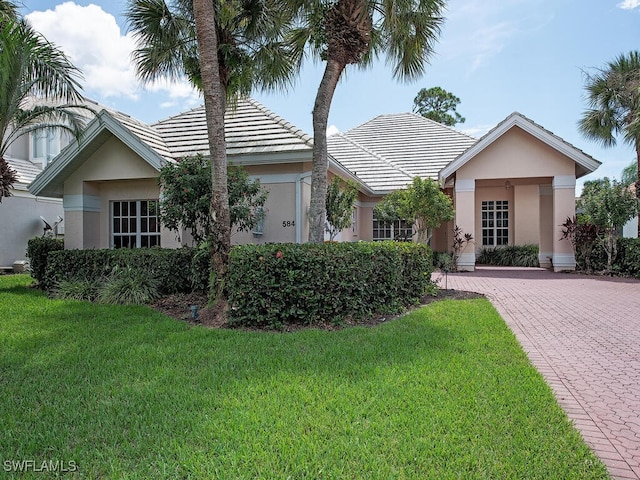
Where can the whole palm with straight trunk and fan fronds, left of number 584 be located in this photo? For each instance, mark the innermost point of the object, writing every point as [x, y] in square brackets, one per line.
[225, 49]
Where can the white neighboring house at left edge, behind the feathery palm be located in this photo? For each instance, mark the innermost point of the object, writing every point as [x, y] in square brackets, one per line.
[20, 213]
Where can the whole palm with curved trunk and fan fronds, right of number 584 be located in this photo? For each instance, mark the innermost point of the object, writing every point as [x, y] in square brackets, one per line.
[345, 32]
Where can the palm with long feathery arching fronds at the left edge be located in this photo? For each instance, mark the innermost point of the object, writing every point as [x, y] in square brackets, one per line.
[39, 88]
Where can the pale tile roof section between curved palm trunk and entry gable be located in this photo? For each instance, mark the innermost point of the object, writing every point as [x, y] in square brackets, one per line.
[398, 147]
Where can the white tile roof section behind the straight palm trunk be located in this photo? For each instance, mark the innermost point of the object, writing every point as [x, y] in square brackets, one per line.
[249, 128]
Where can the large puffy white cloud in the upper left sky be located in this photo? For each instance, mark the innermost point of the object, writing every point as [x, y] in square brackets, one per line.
[94, 43]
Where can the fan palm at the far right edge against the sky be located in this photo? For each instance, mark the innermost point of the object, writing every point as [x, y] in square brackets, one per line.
[613, 95]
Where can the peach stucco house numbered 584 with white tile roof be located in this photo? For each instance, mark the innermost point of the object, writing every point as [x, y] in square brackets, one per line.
[515, 185]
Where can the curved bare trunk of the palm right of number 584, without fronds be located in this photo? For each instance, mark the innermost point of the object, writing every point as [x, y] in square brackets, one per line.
[318, 208]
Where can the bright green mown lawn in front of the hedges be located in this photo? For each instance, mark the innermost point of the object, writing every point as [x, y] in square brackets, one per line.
[124, 392]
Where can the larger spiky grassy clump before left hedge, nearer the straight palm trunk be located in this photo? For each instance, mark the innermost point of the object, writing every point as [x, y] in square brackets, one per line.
[129, 286]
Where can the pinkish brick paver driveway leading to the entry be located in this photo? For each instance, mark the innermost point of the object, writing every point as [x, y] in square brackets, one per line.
[583, 334]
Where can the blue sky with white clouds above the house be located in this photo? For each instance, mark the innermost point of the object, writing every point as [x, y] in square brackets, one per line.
[497, 56]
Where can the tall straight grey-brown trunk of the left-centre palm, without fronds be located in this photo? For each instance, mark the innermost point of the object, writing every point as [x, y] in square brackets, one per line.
[214, 103]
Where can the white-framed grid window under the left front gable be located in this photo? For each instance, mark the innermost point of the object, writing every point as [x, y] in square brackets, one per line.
[134, 224]
